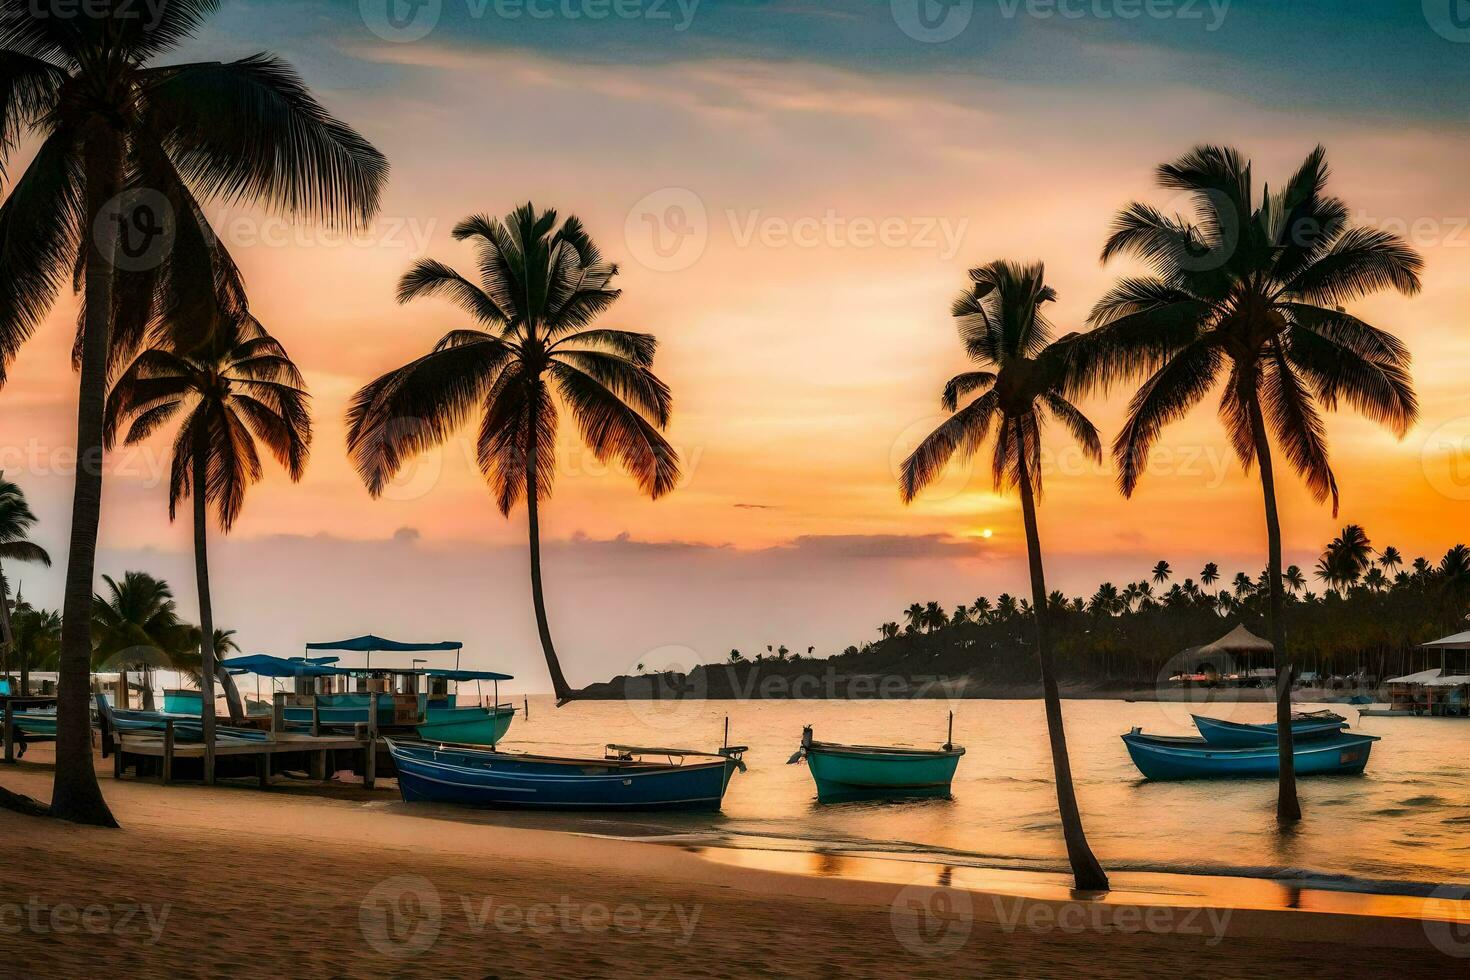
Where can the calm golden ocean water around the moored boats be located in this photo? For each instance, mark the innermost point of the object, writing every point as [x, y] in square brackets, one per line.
[1406, 821]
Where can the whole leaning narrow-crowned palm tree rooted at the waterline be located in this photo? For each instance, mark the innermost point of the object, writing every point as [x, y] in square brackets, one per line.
[1022, 378]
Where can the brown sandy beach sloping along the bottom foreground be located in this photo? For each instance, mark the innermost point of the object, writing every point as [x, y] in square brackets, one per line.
[342, 882]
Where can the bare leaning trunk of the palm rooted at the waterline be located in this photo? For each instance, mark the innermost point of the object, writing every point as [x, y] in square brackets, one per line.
[1087, 872]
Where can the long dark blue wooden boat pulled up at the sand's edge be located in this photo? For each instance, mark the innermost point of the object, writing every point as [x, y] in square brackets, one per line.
[624, 781]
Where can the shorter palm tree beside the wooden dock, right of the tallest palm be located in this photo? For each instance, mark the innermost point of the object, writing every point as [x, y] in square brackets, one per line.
[233, 392]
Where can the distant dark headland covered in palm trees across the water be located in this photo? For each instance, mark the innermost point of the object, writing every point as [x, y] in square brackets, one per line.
[1371, 616]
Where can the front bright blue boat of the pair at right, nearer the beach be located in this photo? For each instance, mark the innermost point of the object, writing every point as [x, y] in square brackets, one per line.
[1177, 757]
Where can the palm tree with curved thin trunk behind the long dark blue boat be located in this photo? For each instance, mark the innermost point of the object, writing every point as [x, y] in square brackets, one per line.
[540, 290]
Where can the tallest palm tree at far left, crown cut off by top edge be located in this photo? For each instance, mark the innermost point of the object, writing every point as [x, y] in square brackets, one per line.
[123, 142]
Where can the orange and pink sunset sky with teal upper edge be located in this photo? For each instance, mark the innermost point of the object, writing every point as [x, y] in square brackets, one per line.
[806, 350]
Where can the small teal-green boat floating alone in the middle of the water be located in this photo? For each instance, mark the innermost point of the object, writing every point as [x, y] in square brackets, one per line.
[877, 772]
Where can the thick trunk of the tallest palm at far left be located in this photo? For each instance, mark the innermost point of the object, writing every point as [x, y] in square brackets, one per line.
[76, 794]
